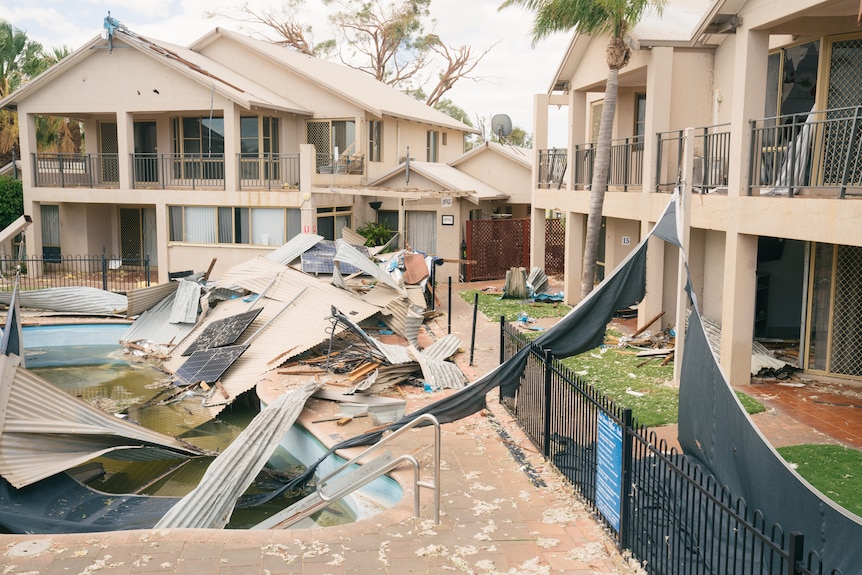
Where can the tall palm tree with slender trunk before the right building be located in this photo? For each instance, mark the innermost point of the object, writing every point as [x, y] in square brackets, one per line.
[593, 17]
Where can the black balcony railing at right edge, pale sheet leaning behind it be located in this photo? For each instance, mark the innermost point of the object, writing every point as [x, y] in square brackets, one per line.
[814, 154]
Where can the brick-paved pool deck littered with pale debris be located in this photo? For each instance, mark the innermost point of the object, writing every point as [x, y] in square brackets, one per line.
[503, 508]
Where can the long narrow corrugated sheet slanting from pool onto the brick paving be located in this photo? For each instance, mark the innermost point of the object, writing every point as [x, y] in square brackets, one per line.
[211, 503]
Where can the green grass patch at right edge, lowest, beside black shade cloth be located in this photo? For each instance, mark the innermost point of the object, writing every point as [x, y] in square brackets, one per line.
[836, 471]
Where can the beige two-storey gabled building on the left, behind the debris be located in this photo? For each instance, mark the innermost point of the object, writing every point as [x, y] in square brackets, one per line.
[230, 146]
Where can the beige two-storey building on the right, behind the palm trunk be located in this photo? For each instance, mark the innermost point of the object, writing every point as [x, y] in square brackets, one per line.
[773, 90]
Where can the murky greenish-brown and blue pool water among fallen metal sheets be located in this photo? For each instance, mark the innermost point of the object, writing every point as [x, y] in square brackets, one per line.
[101, 372]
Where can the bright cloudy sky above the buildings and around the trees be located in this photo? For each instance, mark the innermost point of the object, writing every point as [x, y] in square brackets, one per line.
[511, 73]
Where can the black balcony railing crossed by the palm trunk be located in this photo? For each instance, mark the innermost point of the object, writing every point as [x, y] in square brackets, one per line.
[626, 164]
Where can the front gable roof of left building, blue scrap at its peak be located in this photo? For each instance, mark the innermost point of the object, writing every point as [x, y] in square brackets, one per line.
[207, 72]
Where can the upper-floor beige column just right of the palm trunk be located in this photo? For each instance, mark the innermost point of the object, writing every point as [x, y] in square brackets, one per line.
[659, 101]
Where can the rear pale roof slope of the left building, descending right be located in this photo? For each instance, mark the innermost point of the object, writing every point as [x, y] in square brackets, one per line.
[352, 85]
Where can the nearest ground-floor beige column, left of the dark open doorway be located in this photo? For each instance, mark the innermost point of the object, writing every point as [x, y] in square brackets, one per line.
[737, 313]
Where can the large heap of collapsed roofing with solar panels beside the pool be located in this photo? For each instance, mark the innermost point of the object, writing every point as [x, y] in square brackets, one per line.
[305, 311]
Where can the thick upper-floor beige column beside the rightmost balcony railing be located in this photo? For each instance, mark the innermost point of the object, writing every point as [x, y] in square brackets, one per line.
[749, 94]
